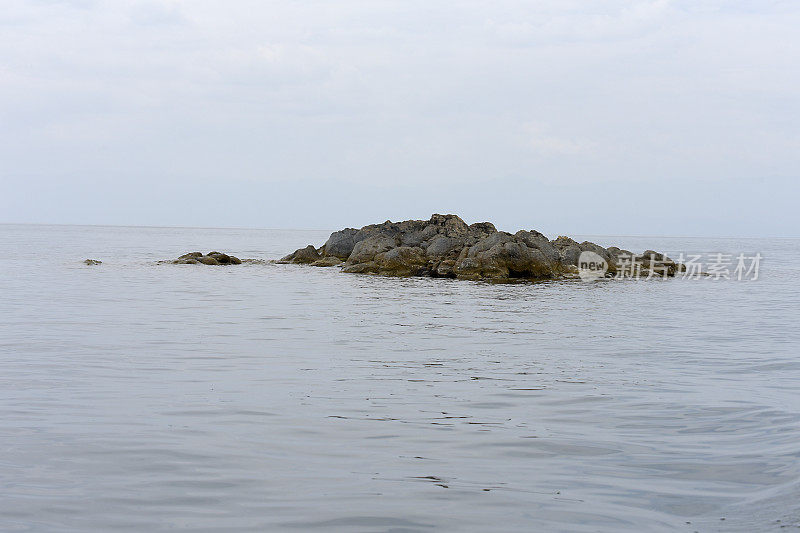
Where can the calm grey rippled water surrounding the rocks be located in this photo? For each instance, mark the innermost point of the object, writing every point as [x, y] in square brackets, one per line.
[149, 397]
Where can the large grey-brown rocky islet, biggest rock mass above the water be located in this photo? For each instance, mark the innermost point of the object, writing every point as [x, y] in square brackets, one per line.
[445, 246]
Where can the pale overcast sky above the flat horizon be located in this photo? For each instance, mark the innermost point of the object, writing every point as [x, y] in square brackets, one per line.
[595, 117]
